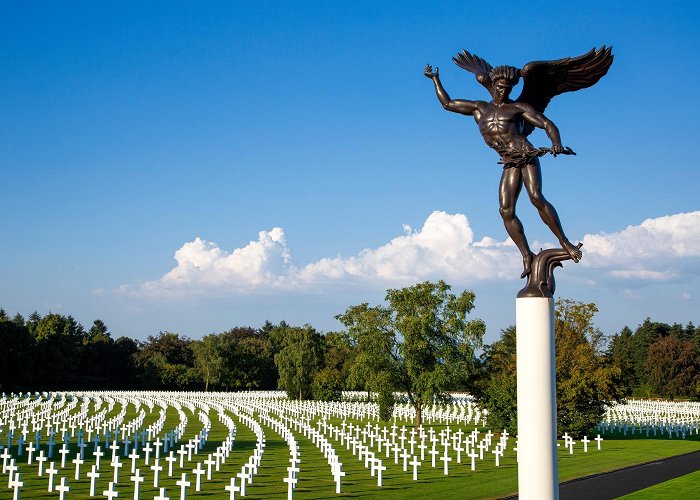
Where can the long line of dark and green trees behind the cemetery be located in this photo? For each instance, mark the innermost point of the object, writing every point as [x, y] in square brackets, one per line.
[421, 343]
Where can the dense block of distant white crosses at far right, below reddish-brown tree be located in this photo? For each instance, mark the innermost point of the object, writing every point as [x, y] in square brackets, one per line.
[669, 418]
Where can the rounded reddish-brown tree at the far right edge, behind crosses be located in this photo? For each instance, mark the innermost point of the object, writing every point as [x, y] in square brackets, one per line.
[672, 366]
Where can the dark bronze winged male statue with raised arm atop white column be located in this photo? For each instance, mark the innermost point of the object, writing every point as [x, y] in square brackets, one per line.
[505, 125]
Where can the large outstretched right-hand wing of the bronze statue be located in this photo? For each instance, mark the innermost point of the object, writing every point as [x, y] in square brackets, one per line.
[542, 80]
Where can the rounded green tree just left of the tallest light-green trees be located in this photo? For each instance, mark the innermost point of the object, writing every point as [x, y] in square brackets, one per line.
[299, 359]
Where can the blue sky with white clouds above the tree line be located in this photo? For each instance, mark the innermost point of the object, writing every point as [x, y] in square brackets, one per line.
[130, 129]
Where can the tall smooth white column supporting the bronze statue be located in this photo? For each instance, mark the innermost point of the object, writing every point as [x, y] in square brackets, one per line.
[537, 410]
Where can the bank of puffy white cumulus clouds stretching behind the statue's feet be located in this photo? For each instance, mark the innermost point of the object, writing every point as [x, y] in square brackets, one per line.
[443, 248]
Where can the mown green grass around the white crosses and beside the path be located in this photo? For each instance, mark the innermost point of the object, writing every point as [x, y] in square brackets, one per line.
[316, 482]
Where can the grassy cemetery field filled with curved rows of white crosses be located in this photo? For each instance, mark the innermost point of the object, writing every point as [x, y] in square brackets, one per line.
[174, 445]
